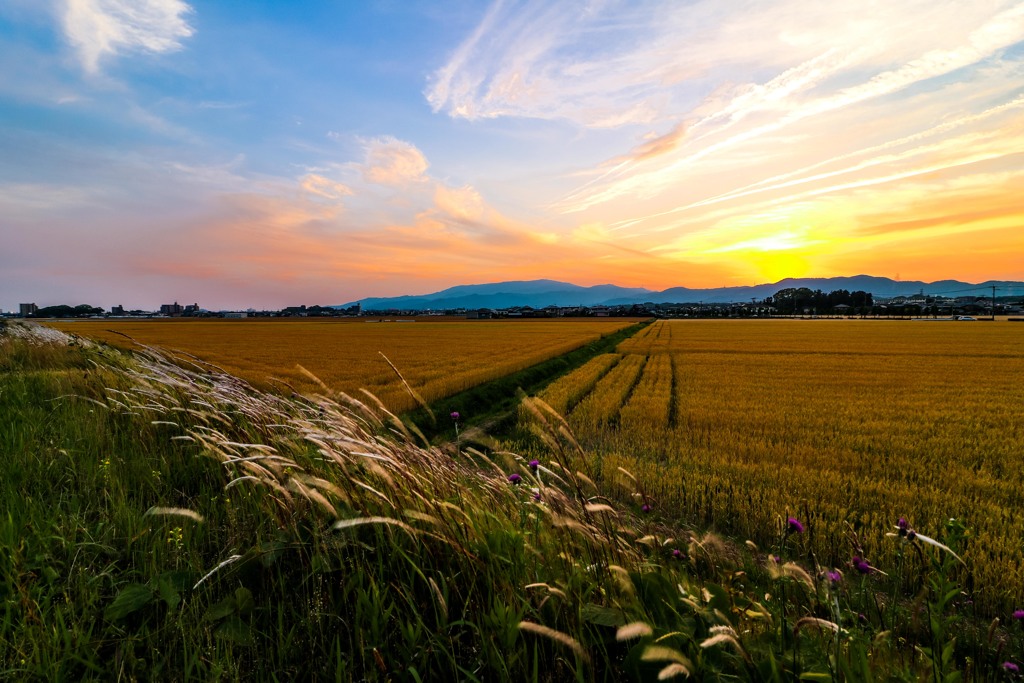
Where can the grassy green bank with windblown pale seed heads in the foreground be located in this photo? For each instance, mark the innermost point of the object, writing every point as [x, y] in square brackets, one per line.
[313, 540]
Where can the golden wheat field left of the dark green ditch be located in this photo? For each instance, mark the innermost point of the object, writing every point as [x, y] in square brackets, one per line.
[438, 359]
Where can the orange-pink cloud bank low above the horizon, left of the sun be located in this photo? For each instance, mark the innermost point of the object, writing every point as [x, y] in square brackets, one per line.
[283, 249]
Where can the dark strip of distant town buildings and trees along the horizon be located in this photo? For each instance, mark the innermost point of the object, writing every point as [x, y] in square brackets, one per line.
[801, 303]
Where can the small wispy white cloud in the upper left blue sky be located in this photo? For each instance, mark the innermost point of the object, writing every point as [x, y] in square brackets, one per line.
[102, 29]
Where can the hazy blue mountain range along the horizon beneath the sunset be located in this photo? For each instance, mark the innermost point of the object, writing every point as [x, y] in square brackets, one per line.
[541, 293]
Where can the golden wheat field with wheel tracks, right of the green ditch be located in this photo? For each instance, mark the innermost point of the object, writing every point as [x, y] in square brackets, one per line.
[846, 424]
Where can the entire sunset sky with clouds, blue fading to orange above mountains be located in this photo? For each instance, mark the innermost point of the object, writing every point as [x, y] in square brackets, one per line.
[264, 154]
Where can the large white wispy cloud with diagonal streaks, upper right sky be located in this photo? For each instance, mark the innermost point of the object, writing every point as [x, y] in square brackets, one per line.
[723, 81]
